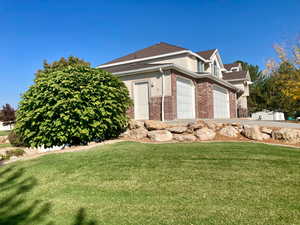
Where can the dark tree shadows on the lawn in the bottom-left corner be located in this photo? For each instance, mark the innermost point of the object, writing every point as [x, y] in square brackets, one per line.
[16, 210]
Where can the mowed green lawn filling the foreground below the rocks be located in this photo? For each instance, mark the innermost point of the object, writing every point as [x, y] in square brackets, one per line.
[136, 184]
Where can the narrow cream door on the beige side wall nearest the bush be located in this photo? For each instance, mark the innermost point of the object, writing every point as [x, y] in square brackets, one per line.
[141, 101]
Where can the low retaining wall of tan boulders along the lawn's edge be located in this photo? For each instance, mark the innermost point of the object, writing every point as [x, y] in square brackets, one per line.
[207, 130]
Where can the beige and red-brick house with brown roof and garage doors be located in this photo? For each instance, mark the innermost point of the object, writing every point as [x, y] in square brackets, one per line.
[168, 82]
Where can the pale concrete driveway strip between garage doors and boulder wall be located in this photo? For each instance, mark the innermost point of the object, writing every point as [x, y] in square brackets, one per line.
[266, 123]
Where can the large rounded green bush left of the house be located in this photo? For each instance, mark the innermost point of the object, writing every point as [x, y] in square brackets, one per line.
[72, 104]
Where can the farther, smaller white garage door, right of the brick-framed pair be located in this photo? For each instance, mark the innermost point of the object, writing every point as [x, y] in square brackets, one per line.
[221, 102]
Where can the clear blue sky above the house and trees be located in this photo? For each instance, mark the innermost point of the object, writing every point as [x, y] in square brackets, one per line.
[98, 31]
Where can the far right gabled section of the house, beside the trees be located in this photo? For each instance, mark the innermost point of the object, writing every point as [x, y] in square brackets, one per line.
[235, 75]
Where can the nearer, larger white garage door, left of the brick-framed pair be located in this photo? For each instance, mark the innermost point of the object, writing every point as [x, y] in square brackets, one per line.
[185, 99]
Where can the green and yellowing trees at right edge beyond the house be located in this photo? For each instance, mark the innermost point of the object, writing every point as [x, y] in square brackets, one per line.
[278, 87]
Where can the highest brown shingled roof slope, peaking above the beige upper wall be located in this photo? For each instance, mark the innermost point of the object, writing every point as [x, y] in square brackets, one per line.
[154, 50]
